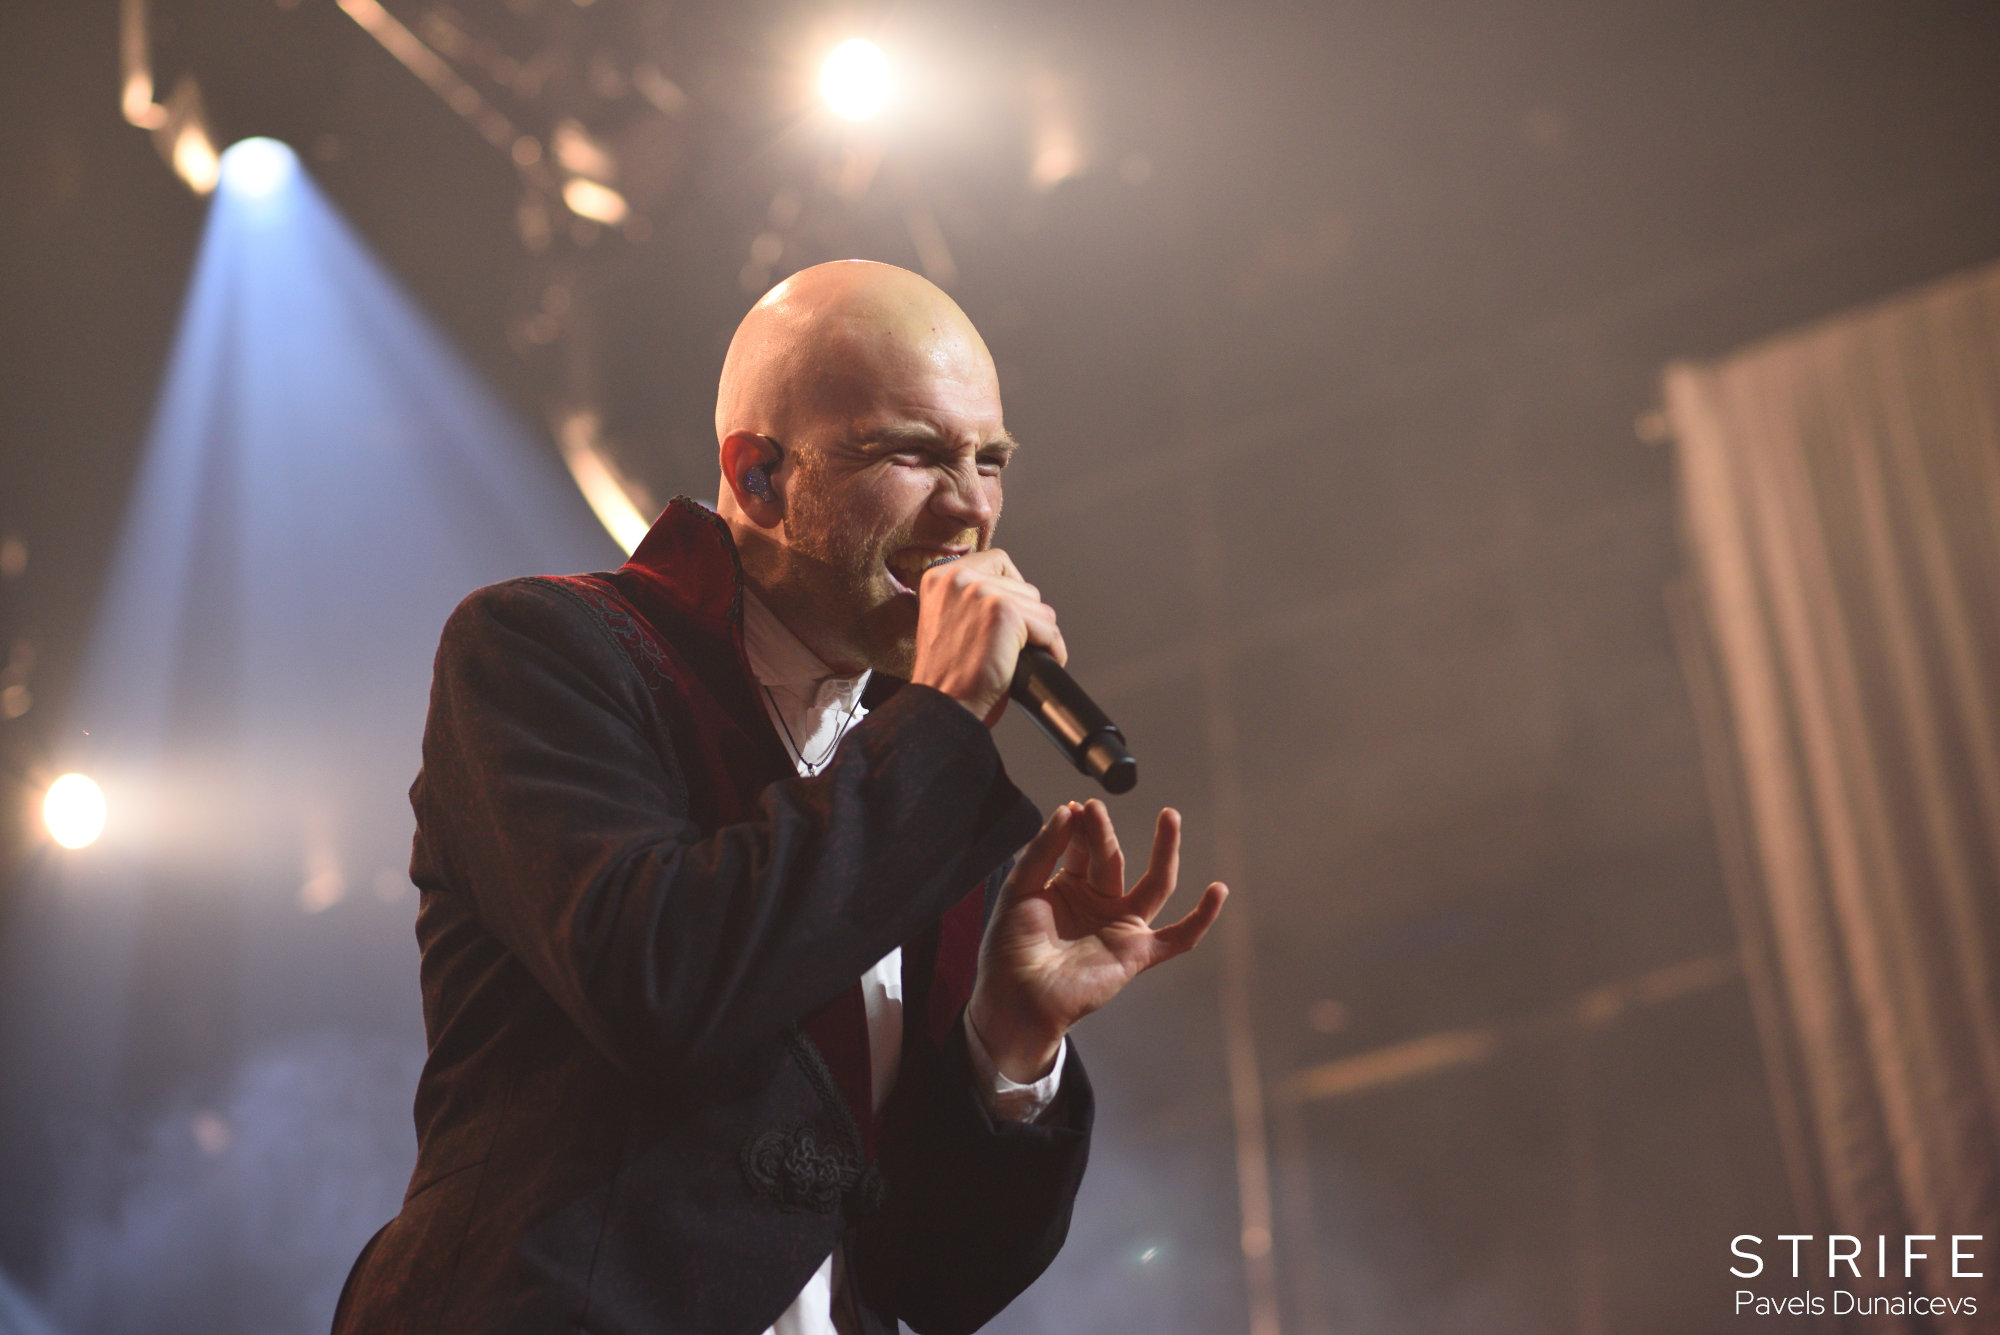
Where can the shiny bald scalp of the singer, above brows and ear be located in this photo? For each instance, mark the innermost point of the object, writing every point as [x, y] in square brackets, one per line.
[833, 339]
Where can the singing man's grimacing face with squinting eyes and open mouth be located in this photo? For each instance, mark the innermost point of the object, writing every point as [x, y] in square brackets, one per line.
[895, 479]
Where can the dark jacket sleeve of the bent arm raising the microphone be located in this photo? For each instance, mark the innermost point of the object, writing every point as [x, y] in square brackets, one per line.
[553, 800]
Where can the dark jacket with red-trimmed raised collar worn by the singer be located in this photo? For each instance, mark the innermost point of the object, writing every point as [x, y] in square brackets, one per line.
[645, 1106]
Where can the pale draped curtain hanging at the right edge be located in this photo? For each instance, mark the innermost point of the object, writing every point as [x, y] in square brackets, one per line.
[1841, 509]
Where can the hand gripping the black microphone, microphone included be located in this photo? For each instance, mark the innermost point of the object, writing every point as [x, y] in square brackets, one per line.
[985, 635]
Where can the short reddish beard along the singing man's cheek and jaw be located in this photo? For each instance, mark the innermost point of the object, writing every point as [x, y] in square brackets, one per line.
[841, 573]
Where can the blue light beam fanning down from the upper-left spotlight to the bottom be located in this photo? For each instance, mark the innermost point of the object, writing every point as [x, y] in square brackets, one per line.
[323, 481]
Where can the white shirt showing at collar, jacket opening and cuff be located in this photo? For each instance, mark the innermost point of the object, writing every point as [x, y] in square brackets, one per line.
[813, 710]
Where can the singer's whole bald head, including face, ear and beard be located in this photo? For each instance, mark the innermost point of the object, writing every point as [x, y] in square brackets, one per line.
[861, 439]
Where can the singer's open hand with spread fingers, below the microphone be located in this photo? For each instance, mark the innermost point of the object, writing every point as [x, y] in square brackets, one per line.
[1067, 934]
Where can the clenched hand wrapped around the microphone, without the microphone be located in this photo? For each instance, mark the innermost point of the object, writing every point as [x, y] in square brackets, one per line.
[975, 617]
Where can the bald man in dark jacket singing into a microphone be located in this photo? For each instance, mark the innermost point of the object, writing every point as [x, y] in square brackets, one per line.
[747, 970]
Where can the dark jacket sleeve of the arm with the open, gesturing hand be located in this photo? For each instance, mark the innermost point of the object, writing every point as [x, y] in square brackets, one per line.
[975, 1206]
